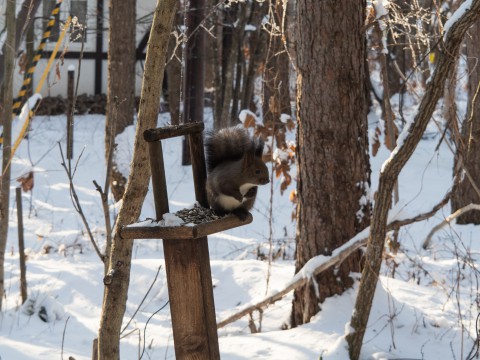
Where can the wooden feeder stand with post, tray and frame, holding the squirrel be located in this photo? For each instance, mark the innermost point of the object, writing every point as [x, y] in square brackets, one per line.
[186, 254]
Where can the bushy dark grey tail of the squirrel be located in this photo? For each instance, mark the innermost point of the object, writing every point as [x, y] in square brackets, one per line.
[229, 144]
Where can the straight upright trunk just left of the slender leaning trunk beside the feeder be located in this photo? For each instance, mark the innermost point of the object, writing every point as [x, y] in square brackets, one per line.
[121, 82]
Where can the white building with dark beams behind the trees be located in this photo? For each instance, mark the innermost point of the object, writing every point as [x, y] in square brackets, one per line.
[94, 15]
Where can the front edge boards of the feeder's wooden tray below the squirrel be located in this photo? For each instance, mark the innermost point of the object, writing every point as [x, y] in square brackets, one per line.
[183, 232]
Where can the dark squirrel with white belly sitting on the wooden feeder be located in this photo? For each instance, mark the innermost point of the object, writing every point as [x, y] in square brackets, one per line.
[234, 170]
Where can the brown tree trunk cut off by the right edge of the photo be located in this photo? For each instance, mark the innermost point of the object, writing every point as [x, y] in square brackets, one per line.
[468, 147]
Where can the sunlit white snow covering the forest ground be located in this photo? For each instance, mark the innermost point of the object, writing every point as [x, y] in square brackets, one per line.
[425, 307]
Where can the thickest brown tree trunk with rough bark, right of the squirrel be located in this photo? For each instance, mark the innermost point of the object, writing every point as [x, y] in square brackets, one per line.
[332, 143]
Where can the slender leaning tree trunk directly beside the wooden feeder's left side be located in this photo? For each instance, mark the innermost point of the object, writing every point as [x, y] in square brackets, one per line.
[118, 277]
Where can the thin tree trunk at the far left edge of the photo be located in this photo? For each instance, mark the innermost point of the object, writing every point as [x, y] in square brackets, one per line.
[7, 138]
